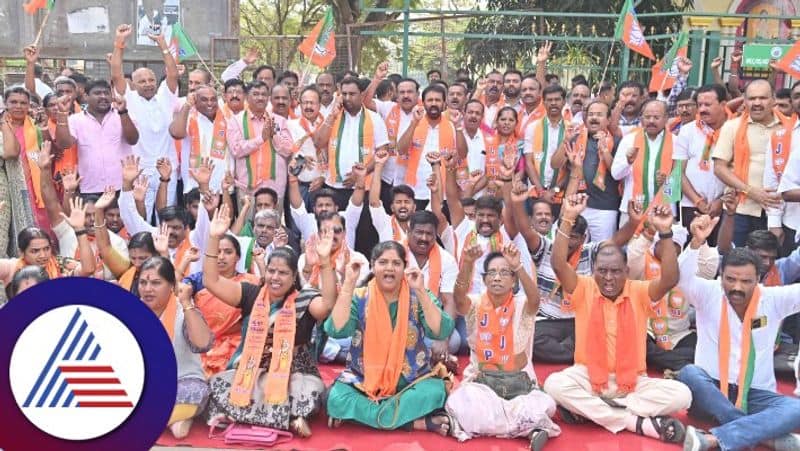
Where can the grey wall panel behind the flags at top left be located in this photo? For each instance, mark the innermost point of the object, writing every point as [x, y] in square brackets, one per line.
[201, 19]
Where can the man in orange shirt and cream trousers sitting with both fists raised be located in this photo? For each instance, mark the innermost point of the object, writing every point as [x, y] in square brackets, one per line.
[608, 384]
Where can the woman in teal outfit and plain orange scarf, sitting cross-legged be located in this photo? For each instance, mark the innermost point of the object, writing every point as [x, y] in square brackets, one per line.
[387, 383]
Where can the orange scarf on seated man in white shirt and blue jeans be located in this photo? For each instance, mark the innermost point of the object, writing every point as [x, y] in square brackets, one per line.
[747, 354]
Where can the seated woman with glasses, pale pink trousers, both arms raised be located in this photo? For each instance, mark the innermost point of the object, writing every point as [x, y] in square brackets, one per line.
[500, 377]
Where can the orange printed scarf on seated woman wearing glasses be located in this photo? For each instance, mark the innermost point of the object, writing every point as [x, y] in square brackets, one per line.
[495, 334]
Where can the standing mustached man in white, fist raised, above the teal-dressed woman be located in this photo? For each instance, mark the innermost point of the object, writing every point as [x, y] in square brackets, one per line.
[398, 117]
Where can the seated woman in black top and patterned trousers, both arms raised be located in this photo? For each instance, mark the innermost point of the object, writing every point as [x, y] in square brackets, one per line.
[275, 382]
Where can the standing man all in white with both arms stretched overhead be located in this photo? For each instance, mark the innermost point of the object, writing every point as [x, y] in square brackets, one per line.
[151, 105]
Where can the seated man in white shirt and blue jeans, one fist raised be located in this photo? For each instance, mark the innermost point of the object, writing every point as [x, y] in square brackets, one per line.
[736, 390]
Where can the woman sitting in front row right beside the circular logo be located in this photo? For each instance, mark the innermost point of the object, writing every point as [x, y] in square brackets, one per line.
[190, 336]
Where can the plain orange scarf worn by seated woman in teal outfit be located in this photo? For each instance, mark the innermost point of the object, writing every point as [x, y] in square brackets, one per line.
[384, 352]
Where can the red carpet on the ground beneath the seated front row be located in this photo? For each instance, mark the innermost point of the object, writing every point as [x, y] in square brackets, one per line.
[354, 437]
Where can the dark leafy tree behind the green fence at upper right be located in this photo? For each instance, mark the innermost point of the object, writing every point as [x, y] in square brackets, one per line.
[479, 54]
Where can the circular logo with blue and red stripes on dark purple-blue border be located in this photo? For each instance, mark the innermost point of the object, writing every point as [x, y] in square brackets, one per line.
[89, 367]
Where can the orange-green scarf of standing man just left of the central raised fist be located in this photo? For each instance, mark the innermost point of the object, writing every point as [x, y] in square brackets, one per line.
[365, 146]
